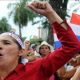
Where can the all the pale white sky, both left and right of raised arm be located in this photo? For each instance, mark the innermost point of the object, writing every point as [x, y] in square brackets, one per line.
[31, 30]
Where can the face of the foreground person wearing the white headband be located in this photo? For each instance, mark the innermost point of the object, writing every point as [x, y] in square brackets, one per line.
[9, 51]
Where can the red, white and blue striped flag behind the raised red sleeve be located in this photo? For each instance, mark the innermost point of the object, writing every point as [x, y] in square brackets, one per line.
[75, 25]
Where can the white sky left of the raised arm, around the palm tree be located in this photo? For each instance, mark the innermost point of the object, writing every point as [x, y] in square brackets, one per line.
[27, 31]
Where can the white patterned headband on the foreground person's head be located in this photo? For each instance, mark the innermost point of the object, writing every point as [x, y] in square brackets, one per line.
[16, 37]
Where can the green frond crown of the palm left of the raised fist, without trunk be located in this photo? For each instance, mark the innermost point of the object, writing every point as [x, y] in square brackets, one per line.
[22, 14]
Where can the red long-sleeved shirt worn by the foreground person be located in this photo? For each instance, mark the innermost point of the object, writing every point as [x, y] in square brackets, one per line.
[43, 68]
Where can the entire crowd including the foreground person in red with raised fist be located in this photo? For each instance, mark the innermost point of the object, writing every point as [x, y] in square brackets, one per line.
[28, 61]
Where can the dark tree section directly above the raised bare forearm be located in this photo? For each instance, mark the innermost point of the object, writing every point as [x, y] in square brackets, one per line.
[60, 7]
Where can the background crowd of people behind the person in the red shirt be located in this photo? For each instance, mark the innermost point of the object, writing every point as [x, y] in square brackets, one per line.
[66, 72]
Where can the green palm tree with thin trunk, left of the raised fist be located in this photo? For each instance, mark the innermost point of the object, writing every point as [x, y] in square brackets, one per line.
[21, 14]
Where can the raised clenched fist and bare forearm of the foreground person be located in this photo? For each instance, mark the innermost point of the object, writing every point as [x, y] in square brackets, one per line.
[45, 9]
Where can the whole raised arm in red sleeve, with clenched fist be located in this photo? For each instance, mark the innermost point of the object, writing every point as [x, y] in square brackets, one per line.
[70, 43]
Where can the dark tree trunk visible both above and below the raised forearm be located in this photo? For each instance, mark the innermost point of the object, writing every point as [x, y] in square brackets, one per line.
[60, 6]
